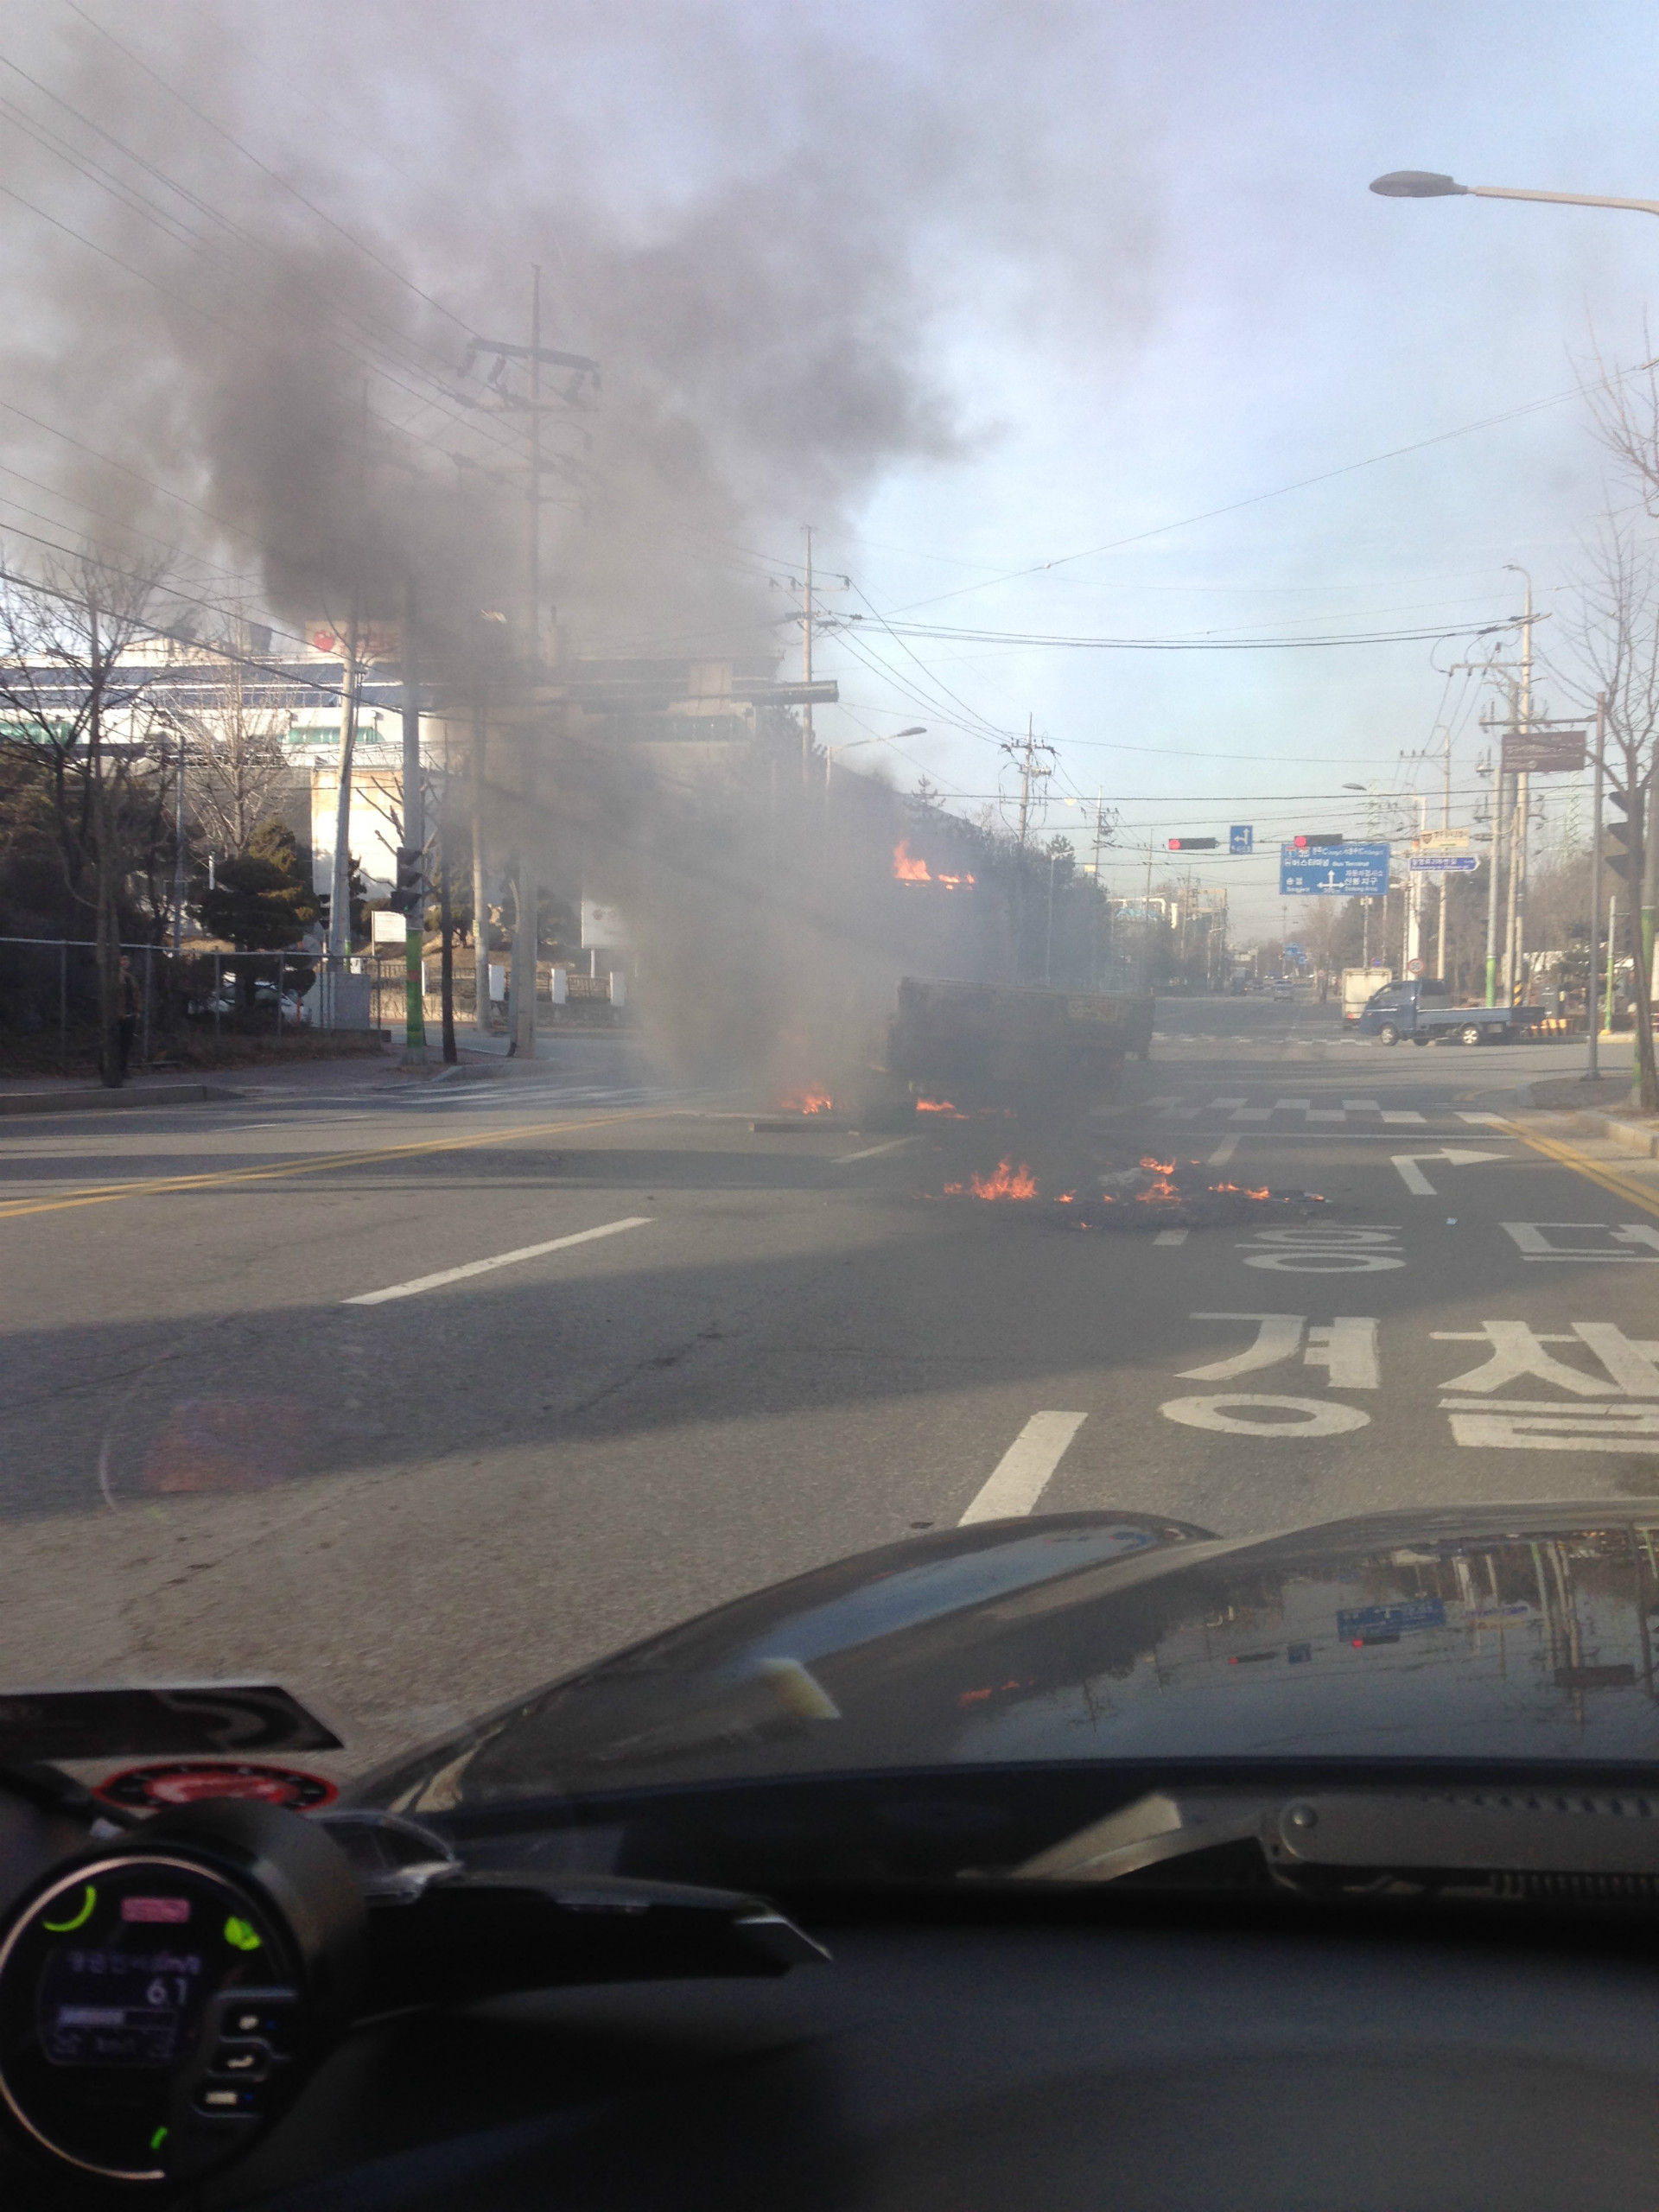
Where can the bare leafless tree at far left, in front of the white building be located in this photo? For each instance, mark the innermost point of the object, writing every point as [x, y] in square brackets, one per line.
[74, 700]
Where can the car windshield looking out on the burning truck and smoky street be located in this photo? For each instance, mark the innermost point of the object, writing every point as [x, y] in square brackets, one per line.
[826, 910]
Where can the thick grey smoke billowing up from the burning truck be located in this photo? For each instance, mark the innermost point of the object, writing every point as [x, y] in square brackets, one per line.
[255, 247]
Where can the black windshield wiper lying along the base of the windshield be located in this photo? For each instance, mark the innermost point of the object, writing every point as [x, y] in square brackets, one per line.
[1530, 1833]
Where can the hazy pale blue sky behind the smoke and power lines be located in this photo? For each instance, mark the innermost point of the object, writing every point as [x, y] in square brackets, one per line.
[974, 289]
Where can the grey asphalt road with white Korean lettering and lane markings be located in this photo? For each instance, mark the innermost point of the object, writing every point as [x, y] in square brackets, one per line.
[231, 1457]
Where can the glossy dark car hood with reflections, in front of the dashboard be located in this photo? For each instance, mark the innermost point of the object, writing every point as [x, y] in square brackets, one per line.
[1465, 1636]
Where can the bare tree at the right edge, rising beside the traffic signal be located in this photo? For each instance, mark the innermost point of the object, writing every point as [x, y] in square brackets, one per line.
[1614, 643]
